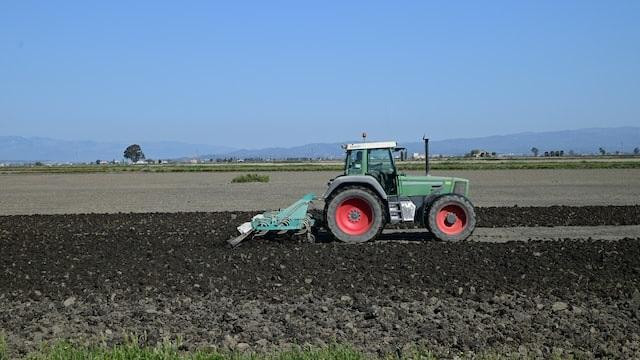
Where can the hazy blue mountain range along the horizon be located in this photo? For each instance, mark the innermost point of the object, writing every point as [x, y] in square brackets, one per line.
[587, 141]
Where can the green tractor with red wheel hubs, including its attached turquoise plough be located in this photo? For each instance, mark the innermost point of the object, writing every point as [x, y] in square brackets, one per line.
[372, 193]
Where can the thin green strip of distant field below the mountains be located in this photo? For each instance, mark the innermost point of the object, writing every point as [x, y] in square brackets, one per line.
[436, 164]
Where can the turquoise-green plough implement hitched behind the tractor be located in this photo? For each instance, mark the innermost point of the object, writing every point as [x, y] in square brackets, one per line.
[294, 218]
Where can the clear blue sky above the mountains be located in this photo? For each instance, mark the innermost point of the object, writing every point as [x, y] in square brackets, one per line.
[263, 73]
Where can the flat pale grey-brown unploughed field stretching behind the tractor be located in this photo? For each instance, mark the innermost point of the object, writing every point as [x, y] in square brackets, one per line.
[171, 192]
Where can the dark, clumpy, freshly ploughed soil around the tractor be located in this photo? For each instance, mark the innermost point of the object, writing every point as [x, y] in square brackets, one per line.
[94, 277]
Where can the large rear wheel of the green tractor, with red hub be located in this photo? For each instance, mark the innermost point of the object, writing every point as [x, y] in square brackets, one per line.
[354, 215]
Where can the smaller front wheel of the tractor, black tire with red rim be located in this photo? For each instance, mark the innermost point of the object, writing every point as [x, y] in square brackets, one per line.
[454, 228]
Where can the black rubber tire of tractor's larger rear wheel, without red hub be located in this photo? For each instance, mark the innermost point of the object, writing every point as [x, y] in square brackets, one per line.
[378, 215]
